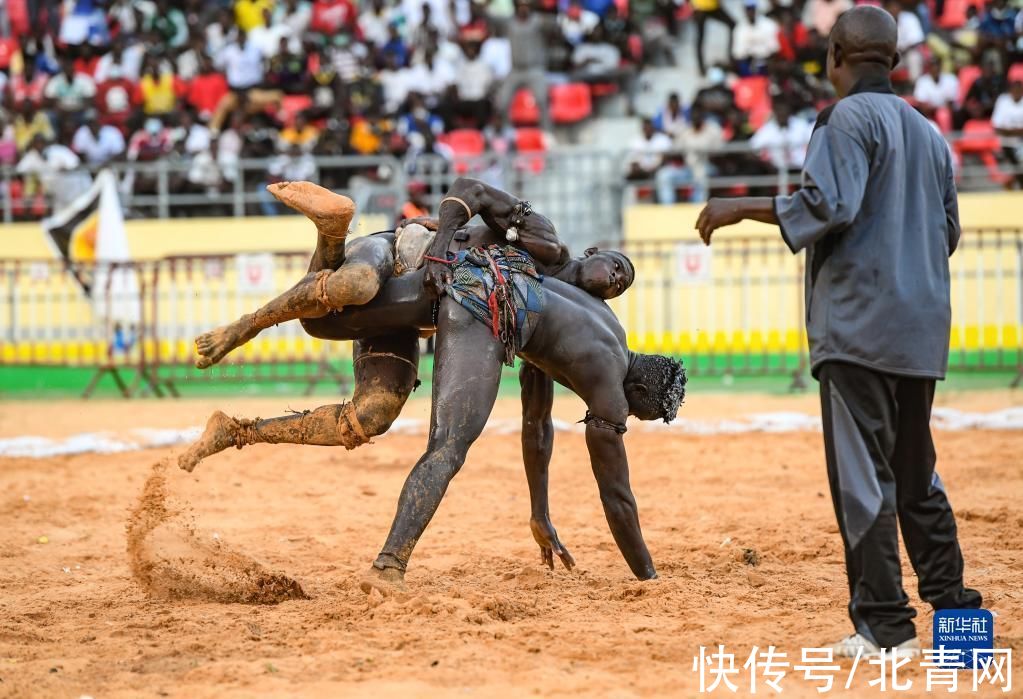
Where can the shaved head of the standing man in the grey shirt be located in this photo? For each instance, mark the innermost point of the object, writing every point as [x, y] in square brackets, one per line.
[863, 42]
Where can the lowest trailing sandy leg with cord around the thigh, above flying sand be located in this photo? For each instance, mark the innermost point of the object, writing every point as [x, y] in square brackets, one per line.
[386, 370]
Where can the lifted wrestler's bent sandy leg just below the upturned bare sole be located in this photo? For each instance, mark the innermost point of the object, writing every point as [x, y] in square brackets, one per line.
[370, 264]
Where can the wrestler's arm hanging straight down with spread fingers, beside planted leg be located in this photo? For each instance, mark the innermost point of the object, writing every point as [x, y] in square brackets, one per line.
[538, 446]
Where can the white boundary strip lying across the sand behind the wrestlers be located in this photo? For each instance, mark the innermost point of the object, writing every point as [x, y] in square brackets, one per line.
[106, 443]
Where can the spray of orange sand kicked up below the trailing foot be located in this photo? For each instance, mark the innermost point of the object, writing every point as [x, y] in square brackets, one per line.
[170, 558]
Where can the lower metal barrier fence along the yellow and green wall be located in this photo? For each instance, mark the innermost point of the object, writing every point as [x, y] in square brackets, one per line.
[733, 310]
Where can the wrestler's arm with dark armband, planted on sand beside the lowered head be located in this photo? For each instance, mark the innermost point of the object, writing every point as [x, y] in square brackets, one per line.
[611, 468]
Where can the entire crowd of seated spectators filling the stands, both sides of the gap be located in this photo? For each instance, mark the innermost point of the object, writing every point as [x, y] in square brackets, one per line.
[207, 84]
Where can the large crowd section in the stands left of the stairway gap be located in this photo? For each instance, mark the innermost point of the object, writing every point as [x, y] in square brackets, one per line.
[210, 83]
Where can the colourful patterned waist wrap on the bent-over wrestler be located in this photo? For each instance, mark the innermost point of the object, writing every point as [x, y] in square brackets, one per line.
[501, 287]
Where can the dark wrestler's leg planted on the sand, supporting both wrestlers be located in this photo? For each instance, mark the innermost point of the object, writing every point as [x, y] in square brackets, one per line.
[467, 374]
